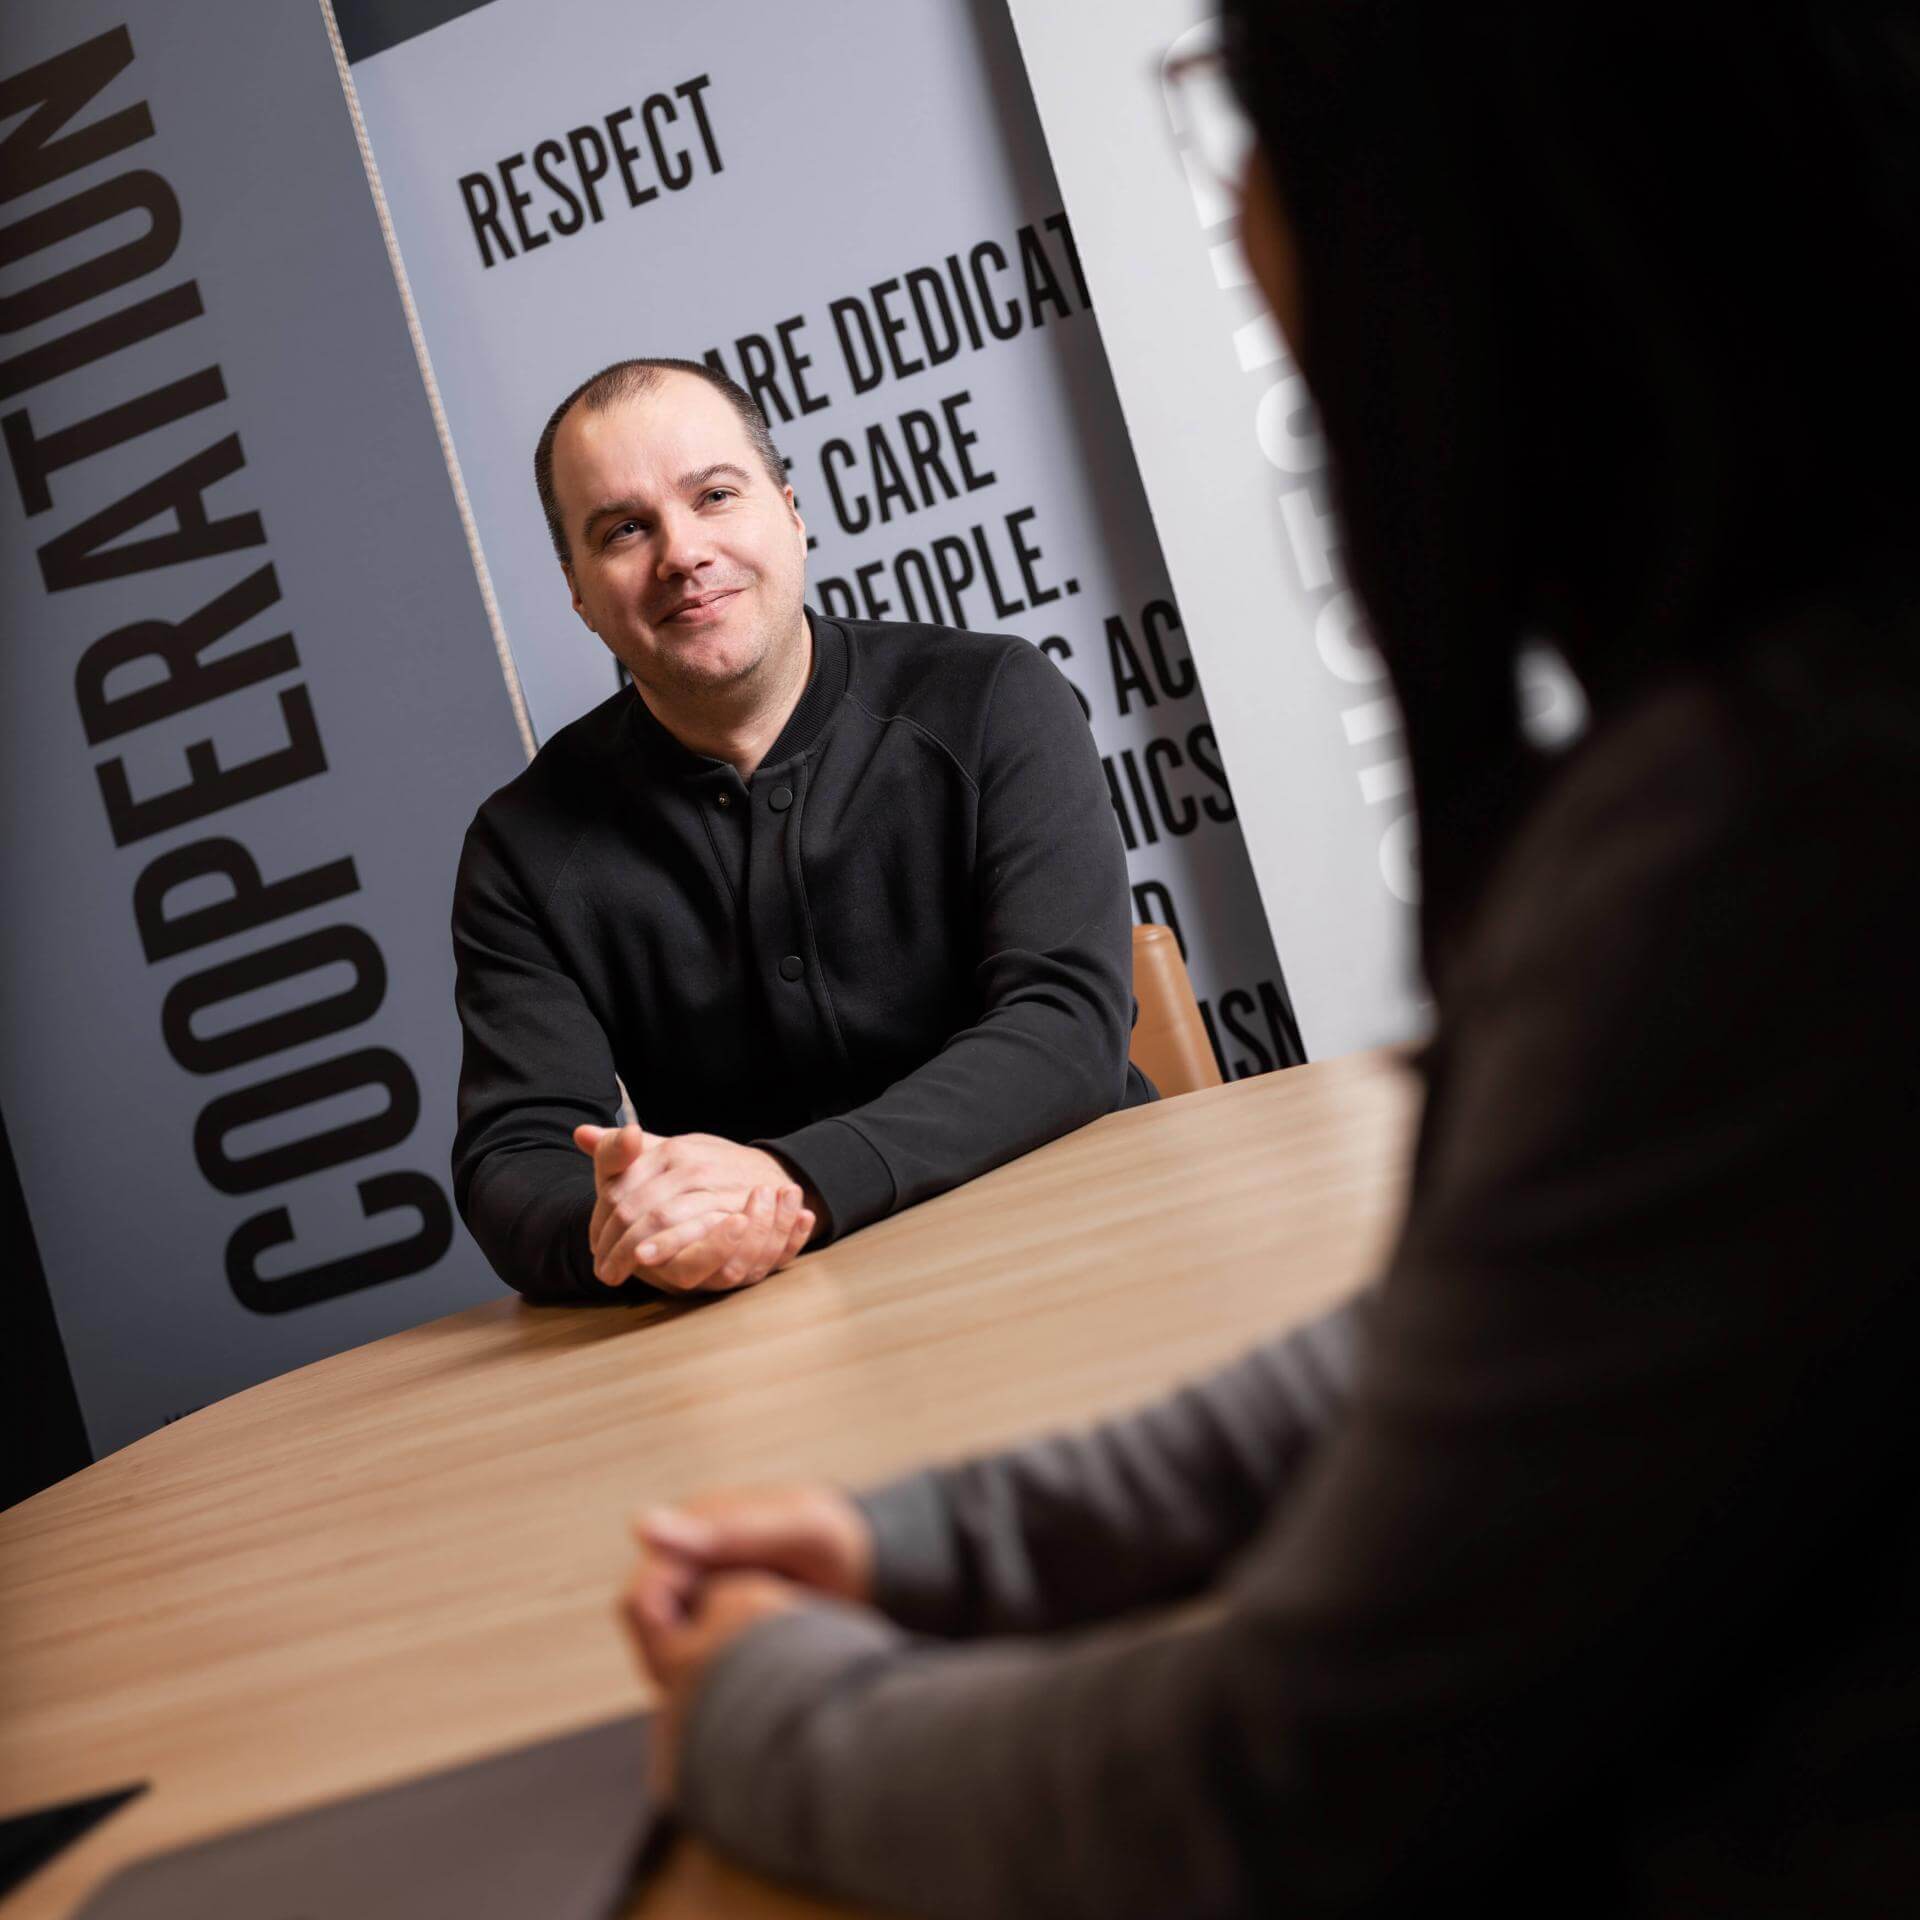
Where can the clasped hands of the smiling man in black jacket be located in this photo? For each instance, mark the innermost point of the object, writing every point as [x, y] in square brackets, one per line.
[690, 1212]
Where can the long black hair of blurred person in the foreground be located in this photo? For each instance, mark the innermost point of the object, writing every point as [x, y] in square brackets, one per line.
[1610, 310]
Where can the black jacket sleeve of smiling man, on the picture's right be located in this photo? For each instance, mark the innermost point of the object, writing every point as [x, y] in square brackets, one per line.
[1047, 1051]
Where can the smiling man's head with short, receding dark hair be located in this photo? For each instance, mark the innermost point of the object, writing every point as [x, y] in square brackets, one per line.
[686, 560]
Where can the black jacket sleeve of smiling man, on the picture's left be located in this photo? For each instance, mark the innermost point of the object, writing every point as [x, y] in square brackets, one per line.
[535, 1065]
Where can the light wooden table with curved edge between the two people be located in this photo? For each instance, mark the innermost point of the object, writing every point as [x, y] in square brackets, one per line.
[408, 1556]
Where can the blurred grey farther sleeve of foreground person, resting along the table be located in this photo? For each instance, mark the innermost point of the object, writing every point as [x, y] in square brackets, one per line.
[1138, 1512]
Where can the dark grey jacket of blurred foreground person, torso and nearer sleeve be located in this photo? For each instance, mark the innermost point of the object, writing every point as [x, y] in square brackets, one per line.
[1625, 1437]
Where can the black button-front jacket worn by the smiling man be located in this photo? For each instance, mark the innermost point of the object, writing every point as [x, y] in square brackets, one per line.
[896, 957]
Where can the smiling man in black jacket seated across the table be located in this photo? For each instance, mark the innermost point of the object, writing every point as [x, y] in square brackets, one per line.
[842, 905]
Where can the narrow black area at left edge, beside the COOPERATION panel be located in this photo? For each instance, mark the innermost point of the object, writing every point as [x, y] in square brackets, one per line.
[41, 1433]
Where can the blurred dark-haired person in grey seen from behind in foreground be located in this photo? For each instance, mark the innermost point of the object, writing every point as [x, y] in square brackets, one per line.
[1579, 1572]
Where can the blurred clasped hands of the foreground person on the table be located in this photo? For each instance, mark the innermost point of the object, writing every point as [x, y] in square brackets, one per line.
[719, 1566]
